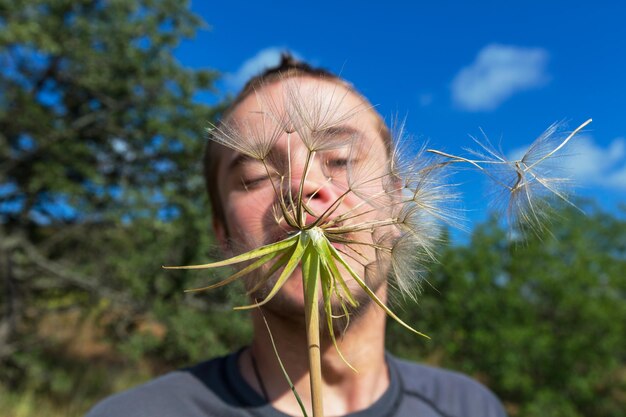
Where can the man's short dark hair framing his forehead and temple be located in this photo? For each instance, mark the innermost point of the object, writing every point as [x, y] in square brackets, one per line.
[287, 68]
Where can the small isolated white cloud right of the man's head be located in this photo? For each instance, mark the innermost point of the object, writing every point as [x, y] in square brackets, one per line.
[498, 72]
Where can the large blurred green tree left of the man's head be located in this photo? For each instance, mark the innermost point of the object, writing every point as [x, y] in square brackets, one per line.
[100, 180]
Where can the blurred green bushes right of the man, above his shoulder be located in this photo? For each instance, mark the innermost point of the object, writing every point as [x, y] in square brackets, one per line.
[540, 321]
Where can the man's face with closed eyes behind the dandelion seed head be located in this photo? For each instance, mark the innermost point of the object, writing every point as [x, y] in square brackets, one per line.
[304, 119]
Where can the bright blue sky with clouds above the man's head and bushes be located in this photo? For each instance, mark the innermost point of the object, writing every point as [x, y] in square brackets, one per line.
[452, 68]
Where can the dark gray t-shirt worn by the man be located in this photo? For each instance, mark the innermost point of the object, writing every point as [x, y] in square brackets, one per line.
[216, 388]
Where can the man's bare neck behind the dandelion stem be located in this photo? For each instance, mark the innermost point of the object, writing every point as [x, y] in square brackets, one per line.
[344, 390]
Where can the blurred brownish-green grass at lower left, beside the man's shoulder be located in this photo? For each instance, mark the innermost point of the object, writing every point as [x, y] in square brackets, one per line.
[74, 368]
